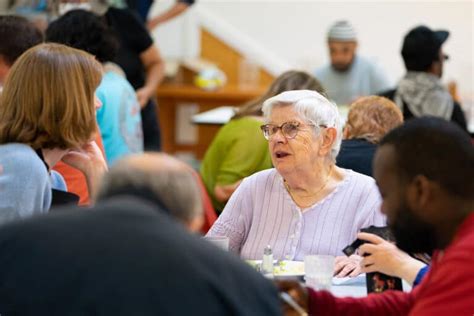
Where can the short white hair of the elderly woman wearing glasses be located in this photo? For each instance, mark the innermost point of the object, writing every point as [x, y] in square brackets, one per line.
[311, 107]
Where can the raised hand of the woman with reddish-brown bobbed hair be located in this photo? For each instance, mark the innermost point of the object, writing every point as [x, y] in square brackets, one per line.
[89, 160]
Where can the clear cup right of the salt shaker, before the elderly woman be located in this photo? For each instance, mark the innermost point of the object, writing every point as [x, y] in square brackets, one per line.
[319, 270]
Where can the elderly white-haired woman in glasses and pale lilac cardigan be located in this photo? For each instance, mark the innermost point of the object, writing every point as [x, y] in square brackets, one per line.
[305, 205]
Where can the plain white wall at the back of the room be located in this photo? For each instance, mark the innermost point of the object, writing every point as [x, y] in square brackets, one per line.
[294, 31]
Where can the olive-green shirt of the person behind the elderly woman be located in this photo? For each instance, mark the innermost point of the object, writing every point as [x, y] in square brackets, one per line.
[238, 151]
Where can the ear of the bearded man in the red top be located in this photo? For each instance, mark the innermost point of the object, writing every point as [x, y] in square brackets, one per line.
[420, 192]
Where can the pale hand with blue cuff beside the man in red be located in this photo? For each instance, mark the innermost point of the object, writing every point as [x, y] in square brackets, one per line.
[383, 256]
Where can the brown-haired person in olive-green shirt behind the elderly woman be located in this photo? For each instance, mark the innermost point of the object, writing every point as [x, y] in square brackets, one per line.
[239, 149]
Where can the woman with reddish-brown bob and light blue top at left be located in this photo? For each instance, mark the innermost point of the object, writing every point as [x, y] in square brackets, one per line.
[48, 115]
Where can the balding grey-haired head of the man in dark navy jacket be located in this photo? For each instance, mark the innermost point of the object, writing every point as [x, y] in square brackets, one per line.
[160, 179]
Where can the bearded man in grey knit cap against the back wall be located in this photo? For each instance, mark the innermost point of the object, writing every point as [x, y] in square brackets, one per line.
[349, 75]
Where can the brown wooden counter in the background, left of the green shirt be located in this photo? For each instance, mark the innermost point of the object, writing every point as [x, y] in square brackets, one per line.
[169, 96]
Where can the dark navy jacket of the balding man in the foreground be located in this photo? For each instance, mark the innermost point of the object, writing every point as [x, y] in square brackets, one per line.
[123, 257]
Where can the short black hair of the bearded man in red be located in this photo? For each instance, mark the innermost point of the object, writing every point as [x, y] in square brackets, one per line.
[437, 149]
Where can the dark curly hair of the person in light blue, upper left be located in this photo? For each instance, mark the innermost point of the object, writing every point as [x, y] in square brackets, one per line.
[84, 30]
